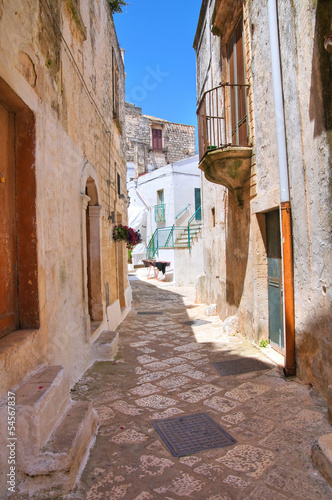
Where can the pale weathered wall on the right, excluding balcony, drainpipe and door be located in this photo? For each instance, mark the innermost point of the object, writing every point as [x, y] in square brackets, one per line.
[235, 239]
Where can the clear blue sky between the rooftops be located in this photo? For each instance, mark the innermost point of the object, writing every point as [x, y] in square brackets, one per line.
[159, 59]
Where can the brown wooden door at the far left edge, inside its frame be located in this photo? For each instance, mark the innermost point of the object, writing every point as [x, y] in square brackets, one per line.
[8, 250]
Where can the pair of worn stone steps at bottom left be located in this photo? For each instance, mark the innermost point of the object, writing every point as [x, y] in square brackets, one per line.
[53, 433]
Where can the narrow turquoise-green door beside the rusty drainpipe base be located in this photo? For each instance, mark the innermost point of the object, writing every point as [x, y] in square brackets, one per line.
[275, 293]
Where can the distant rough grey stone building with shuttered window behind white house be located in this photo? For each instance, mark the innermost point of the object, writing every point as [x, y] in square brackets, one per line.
[152, 142]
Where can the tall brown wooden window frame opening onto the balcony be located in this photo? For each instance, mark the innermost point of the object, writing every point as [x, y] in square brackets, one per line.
[237, 76]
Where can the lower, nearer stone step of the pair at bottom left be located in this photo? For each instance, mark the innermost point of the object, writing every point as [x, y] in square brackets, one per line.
[56, 469]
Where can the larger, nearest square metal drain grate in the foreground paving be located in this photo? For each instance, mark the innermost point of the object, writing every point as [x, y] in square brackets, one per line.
[192, 433]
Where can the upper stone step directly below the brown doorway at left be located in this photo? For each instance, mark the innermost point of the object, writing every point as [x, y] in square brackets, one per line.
[40, 404]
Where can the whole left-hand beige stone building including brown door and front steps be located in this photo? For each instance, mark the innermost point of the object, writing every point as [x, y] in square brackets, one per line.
[63, 186]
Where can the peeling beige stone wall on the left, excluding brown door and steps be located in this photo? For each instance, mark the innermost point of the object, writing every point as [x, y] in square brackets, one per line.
[52, 62]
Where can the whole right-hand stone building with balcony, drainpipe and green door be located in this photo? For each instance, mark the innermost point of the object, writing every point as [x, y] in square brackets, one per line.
[267, 230]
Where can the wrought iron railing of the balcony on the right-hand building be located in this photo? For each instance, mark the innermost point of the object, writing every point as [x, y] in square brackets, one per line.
[223, 118]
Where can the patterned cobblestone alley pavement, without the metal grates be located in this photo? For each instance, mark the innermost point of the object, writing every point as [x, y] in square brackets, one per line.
[163, 370]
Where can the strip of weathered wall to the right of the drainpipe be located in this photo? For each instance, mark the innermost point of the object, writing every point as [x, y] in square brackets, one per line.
[308, 110]
